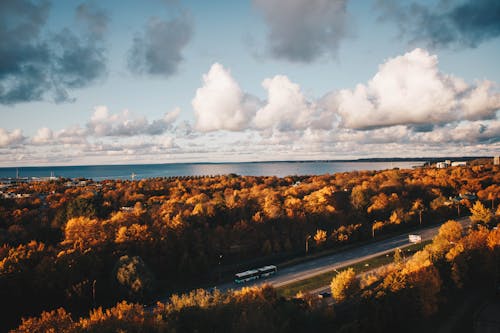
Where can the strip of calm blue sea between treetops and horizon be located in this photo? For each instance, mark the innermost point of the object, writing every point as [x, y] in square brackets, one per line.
[280, 169]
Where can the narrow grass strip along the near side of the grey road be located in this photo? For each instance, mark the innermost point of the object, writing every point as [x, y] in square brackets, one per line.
[324, 279]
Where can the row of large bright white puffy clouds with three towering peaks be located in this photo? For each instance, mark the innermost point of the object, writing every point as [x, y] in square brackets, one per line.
[407, 90]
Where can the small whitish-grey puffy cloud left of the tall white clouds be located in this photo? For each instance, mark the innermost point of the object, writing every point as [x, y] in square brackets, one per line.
[104, 123]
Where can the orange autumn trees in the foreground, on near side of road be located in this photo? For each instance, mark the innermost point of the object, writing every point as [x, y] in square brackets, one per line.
[409, 297]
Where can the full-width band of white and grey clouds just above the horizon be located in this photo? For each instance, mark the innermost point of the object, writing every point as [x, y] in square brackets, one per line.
[408, 108]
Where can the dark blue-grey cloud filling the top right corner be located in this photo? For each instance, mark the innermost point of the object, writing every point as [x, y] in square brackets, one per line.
[445, 23]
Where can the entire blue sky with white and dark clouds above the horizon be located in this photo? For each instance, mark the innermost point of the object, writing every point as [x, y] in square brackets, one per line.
[165, 81]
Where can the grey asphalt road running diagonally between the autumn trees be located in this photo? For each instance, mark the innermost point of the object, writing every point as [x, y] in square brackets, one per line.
[317, 266]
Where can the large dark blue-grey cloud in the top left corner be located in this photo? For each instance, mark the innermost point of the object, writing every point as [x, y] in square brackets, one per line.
[34, 64]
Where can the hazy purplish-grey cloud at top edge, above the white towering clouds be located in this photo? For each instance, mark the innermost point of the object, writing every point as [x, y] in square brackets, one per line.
[304, 30]
